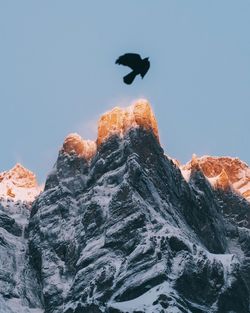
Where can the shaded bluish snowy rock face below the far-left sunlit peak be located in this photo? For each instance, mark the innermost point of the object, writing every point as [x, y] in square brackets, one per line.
[18, 286]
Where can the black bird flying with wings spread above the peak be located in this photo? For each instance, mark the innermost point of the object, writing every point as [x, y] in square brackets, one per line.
[138, 65]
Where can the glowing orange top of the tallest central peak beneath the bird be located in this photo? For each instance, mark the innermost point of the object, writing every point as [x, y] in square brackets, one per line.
[119, 120]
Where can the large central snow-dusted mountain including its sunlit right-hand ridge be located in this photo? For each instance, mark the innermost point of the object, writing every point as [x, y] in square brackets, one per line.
[120, 227]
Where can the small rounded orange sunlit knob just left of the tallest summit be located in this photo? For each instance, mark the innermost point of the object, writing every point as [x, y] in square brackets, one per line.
[74, 143]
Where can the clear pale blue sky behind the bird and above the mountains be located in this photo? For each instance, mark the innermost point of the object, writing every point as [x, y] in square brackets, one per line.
[57, 74]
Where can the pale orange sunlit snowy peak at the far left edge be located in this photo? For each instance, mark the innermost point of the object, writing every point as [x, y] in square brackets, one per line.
[19, 183]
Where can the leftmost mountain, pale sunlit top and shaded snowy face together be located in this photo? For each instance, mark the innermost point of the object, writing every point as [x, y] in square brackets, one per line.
[19, 290]
